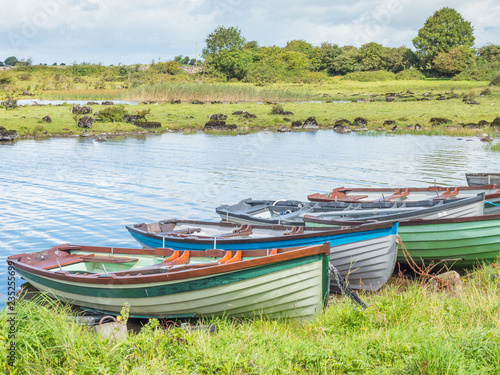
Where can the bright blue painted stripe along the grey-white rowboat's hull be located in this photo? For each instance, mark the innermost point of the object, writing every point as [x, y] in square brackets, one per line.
[335, 240]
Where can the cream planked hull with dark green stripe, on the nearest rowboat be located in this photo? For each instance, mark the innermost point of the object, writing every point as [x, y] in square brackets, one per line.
[288, 288]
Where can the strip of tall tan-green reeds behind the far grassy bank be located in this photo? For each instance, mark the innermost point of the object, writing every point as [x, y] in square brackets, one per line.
[165, 92]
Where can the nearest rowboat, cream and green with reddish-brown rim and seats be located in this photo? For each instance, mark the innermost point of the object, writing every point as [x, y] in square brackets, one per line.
[164, 283]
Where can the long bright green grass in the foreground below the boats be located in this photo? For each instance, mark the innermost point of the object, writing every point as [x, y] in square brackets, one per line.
[405, 330]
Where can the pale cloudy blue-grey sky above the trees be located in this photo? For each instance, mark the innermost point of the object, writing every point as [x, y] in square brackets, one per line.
[138, 31]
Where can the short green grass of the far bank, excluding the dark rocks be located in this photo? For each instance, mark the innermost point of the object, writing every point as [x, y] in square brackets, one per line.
[27, 120]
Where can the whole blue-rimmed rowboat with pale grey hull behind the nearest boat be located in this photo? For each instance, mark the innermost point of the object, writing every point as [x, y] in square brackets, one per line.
[364, 255]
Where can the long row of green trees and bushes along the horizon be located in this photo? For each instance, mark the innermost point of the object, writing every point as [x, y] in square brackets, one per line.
[443, 47]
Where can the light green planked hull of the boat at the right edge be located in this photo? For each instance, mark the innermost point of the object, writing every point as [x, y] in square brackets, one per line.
[462, 244]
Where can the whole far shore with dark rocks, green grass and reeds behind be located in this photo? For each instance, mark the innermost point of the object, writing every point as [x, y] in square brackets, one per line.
[393, 107]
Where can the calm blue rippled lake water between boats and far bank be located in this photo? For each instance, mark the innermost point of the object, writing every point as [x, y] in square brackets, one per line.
[84, 192]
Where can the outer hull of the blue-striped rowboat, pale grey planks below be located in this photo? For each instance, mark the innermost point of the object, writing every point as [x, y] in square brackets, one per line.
[365, 257]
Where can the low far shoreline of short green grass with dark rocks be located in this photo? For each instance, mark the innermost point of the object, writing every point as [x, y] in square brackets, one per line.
[30, 122]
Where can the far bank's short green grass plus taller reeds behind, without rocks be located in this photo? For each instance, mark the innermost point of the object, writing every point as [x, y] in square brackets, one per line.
[400, 103]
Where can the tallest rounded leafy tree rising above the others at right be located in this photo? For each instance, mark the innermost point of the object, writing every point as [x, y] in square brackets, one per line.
[443, 31]
